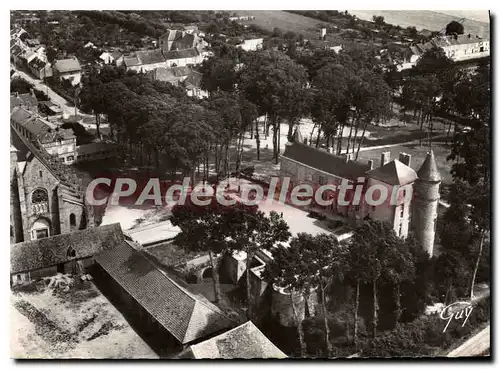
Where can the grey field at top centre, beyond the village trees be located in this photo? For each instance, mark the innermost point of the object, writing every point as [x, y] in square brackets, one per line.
[269, 19]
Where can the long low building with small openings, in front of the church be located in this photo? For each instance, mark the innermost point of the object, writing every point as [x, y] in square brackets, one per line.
[70, 253]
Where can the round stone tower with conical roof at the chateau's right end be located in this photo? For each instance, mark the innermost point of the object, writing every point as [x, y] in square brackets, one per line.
[425, 207]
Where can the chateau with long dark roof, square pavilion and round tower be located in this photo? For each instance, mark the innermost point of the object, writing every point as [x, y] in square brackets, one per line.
[416, 213]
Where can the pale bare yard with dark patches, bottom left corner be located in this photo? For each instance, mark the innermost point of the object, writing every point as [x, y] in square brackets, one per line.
[79, 323]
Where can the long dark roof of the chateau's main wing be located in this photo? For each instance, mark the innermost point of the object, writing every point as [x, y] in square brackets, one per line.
[322, 160]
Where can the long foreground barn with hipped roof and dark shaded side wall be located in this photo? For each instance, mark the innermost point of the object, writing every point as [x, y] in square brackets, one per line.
[163, 305]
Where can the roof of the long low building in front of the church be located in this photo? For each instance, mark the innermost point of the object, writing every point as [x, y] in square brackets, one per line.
[47, 252]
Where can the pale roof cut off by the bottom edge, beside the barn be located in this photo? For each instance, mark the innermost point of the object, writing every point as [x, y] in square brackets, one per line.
[243, 342]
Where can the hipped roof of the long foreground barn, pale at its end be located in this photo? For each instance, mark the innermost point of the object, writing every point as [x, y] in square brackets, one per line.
[178, 310]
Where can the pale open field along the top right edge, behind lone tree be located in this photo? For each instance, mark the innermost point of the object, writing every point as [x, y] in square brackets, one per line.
[431, 20]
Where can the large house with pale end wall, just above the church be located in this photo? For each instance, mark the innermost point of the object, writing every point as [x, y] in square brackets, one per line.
[54, 140]
